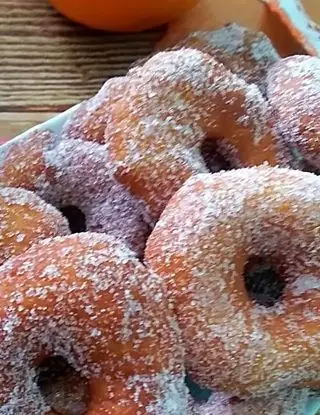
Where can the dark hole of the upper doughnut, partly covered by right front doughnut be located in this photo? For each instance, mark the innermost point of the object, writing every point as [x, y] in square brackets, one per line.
[212, 156]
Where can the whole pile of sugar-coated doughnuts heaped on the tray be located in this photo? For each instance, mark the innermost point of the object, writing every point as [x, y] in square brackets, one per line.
[126, 246]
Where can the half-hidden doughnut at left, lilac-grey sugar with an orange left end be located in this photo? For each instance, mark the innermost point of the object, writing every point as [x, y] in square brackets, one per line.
[80, 174]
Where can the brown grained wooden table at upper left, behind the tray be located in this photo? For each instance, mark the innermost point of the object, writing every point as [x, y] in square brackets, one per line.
[48, 64]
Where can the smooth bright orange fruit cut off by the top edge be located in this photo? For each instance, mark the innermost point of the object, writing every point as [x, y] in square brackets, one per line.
[123, 15]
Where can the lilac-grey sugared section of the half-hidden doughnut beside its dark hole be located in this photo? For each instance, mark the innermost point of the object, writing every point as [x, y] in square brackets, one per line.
[81, 174]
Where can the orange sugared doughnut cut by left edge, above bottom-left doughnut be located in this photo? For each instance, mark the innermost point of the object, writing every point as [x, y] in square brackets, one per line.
[26, 219]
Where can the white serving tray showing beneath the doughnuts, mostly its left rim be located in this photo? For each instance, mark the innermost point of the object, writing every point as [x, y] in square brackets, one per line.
[55, 124]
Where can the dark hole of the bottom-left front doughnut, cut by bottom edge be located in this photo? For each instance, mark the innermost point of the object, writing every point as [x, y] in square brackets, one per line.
[63, 389]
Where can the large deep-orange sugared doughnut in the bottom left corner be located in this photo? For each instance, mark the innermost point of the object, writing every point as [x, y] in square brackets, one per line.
[73, 297]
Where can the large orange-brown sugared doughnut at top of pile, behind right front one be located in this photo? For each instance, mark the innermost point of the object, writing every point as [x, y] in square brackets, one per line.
[170, 106]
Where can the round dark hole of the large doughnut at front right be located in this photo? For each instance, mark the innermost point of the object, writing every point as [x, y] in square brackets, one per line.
[263, 282]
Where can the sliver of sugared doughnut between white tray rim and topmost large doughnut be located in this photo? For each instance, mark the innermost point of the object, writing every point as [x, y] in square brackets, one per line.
[89, 121]
